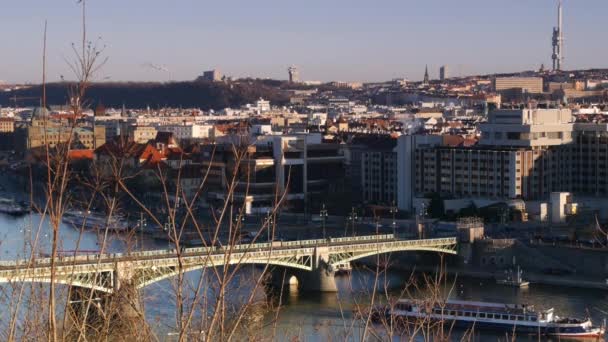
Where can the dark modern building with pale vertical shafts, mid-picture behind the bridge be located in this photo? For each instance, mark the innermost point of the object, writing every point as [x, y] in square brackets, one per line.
[302, 167]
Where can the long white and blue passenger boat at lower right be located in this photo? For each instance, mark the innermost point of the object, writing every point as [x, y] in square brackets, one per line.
[509, 318]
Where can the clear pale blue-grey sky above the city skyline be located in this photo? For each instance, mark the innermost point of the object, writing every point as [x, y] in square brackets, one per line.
[345, 40]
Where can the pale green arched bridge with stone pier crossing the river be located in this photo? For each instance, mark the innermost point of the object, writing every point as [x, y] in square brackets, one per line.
[313, 262]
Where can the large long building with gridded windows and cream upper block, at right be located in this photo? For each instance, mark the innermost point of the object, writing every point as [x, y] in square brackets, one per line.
[522, 154]
